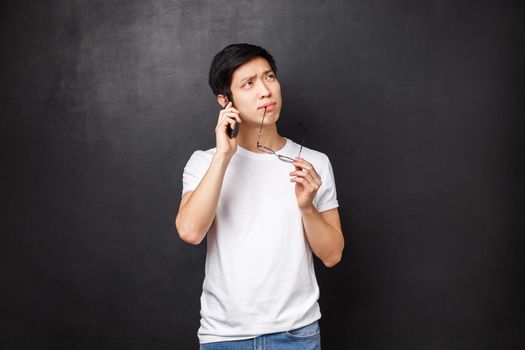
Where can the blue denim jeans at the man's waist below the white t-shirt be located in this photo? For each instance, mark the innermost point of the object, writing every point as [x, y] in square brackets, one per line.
[304, 338]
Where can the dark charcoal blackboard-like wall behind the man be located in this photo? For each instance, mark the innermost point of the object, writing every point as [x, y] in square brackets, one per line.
[418, 104]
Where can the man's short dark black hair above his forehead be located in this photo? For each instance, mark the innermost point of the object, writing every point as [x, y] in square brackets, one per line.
[228, 60]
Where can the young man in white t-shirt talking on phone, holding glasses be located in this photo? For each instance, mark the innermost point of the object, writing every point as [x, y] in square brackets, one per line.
[263, 215]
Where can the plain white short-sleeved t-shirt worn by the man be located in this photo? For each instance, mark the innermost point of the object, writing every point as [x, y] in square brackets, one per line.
[259, 272]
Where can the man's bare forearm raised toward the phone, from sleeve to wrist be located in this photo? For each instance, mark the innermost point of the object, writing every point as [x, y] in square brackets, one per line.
[197, 208]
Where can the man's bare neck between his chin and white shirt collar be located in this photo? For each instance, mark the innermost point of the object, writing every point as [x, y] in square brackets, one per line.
[247, 137]
